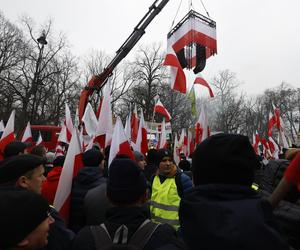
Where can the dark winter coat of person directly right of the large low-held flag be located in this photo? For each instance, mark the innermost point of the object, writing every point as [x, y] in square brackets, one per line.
[86, 179]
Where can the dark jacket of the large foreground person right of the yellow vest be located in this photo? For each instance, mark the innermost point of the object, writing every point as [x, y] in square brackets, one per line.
[217, 216]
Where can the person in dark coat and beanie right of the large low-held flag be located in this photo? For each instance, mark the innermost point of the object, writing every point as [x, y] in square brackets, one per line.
[88, 177]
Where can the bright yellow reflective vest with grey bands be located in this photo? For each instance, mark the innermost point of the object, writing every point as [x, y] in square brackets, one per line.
[165, 202]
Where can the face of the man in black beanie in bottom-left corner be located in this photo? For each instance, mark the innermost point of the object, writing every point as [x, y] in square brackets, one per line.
[39, 237]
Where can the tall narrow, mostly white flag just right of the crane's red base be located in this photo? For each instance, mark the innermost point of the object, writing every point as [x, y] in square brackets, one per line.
[105, 125]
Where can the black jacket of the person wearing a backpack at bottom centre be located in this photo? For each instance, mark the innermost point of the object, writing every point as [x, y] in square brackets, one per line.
[132, 217]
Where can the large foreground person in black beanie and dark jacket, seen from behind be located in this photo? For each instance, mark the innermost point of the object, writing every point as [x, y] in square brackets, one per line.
[222, 211]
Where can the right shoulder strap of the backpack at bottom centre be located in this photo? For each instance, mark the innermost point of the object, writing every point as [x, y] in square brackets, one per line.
[141, 237]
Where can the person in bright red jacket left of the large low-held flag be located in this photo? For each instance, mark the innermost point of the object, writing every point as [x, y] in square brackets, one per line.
[49, 186]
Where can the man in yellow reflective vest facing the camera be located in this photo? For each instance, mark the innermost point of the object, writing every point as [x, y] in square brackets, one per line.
[168, 187]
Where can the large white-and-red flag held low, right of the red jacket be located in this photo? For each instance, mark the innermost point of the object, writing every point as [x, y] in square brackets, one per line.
[72, 164]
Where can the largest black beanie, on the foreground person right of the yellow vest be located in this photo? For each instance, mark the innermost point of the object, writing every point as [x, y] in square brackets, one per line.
[224, 158]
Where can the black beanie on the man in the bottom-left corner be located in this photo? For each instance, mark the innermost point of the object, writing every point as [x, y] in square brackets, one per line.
[21, 211]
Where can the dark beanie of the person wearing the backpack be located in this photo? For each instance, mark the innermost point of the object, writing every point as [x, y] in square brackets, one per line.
[126, 182]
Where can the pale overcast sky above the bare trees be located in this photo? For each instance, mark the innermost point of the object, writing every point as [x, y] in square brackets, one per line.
[259, 40]
